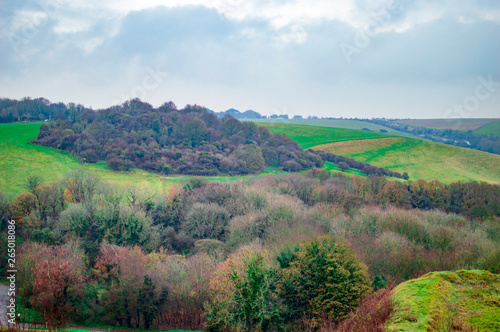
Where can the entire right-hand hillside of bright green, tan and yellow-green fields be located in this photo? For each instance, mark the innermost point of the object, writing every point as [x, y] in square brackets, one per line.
[420, 159]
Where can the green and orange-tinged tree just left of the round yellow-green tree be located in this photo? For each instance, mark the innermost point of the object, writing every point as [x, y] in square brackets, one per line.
[243, 293]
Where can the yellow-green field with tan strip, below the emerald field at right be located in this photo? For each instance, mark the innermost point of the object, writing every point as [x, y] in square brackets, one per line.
[422, 159]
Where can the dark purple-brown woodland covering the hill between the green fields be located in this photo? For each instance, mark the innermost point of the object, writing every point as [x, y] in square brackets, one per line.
[166, 140]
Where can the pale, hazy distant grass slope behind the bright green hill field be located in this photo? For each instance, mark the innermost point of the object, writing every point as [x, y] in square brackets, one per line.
[346, 124]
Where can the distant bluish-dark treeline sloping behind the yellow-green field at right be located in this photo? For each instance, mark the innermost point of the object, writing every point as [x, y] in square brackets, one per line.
[486, 143]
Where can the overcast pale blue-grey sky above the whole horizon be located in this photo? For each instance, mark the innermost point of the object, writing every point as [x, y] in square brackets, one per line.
[350, 58]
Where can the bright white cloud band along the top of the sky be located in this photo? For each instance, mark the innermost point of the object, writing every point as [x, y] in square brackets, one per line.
[288, 19]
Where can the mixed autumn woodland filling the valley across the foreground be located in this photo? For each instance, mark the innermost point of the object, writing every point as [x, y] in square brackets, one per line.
[239, 256]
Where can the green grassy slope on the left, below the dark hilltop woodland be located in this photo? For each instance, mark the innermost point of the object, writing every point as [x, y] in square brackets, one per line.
[19, 159]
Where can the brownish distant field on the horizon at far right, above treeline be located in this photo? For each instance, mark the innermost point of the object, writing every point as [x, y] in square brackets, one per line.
[455, 124]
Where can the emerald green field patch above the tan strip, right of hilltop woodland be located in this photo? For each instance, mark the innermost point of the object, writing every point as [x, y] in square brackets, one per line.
[309, 136]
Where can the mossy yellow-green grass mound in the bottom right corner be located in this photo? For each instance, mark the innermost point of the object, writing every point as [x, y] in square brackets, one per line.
[447, 301]
